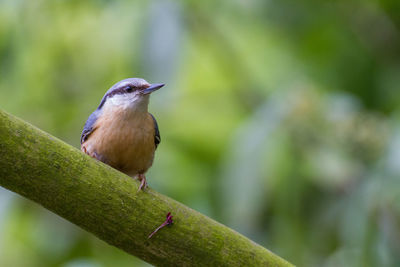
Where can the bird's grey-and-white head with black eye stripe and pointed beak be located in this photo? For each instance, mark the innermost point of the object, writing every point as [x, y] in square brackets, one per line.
[129, 93]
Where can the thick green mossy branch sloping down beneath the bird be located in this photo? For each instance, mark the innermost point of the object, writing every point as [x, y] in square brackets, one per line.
[106, 203]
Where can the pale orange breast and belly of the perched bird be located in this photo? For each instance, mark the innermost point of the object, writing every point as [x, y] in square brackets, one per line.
[124, 140]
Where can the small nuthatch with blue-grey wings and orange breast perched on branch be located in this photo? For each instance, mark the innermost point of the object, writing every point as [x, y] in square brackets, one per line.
[121, 132]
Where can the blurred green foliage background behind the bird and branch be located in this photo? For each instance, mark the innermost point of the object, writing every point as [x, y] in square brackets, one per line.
[280, 119]
